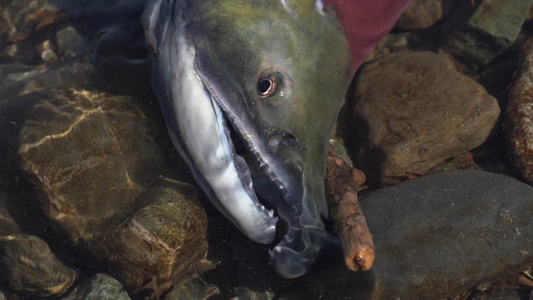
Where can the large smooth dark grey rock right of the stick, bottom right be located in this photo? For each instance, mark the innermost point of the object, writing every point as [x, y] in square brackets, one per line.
[438, 236]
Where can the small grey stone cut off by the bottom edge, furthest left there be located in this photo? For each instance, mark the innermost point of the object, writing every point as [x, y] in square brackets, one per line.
[98, 287]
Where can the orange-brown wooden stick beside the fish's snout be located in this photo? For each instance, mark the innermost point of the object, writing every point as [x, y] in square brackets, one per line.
[341, 193]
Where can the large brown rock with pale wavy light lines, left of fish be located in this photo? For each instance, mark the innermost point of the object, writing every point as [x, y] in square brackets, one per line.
[78, 148]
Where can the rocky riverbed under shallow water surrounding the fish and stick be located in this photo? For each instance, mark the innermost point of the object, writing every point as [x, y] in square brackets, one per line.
[95, 202]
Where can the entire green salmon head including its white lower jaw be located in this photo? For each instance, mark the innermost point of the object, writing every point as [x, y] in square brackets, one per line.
[274, 75]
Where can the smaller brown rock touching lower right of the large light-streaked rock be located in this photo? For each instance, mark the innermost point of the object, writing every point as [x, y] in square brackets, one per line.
[163, 243]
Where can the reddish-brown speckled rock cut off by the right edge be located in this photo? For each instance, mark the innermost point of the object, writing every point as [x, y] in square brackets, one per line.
[519, 116]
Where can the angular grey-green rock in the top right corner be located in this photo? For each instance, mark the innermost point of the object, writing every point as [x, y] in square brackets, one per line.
[492, 28]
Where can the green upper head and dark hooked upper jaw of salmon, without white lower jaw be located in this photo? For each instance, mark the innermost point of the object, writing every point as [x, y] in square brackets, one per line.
[280, 70]
